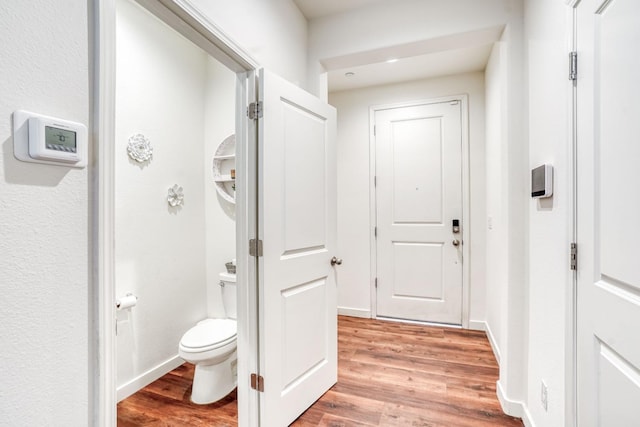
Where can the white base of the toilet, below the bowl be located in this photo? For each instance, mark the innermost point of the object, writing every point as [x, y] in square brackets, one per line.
[213, 382]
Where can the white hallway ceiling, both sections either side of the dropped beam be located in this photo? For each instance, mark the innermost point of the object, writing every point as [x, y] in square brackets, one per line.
[455, 54]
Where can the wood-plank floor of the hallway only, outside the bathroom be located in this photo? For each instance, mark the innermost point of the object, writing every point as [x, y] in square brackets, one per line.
[396, 374]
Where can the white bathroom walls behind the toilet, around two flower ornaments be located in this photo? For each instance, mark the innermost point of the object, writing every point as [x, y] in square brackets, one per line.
[167, 89]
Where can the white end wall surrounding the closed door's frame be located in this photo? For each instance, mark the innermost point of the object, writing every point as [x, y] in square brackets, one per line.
[354, 226]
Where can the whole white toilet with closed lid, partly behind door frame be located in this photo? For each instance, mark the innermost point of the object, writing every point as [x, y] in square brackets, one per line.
[211, 346]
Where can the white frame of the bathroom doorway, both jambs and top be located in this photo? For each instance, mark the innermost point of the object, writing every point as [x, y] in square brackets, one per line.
[188, 21]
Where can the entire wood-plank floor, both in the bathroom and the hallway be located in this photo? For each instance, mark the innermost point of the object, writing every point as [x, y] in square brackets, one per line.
[389, 374]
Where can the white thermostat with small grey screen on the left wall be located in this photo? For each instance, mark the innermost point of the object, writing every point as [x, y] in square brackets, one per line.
[49, 140]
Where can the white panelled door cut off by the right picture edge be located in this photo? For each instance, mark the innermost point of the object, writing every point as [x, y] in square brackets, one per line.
[608, 306]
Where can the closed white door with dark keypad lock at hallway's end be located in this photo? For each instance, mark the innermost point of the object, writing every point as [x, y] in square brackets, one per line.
[418, 196]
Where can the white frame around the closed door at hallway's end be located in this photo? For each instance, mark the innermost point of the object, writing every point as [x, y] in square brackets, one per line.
[464, 123]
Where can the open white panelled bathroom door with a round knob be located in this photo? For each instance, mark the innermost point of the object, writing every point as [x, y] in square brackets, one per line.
[297, 211]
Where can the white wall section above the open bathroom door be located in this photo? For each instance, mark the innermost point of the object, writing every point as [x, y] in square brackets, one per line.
[274, 32]
